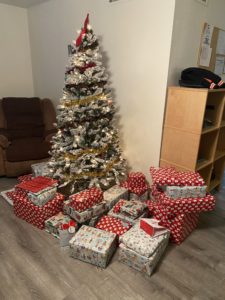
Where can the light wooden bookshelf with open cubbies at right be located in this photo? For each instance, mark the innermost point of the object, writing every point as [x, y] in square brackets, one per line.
[194, 132]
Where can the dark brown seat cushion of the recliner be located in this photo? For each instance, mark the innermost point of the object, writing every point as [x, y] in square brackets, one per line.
[27, 149]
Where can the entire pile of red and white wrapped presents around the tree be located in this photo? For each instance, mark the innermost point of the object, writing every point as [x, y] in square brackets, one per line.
[135, 218]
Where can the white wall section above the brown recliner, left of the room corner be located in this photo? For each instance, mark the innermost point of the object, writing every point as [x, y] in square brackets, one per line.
[15, 59]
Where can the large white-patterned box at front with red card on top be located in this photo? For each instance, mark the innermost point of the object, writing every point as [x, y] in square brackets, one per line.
[140, 251]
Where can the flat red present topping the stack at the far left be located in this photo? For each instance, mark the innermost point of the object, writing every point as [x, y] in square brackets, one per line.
[37, 184]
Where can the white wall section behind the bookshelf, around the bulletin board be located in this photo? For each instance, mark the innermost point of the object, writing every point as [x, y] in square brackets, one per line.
[188, 23]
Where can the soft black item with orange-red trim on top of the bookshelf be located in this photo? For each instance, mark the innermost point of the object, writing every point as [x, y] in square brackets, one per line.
[200, 78]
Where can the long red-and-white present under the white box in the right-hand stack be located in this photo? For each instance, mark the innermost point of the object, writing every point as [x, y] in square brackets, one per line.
[183, 205]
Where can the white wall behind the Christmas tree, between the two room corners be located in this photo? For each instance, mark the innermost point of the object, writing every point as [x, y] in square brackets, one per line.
[136, 37]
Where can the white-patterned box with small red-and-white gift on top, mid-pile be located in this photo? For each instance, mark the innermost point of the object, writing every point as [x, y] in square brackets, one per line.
[129, 211]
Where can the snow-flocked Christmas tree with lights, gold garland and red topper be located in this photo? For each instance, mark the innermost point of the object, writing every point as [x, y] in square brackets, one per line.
[85, 150]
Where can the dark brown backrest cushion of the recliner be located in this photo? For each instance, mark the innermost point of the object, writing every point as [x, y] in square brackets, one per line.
[23, 117]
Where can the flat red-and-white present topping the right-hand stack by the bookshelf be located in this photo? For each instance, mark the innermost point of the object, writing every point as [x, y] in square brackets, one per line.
[171, 177]
